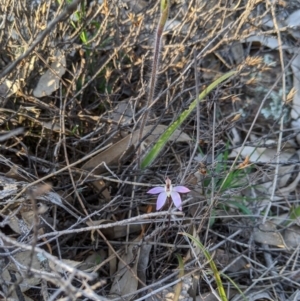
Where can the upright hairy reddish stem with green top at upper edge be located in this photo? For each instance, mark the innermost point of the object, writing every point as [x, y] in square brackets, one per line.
[164, 7]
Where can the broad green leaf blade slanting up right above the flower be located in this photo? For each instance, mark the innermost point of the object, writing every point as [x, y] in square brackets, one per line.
[155, 150]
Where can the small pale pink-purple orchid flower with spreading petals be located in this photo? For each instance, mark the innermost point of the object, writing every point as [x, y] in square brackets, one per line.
[167, 192]
